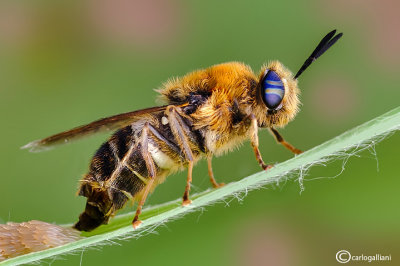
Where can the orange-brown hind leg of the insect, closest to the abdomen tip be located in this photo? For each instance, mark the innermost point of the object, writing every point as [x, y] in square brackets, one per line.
[152, 172]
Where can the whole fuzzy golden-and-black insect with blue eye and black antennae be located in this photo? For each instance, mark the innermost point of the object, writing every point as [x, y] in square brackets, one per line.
[207, 112]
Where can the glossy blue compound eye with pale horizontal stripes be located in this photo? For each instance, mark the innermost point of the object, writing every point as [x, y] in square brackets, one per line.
[272, 89]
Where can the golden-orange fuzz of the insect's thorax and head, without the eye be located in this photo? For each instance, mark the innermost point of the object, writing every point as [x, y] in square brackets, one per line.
[233, 91]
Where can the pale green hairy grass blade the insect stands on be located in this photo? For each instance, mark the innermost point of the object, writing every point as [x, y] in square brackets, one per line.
[120, 227]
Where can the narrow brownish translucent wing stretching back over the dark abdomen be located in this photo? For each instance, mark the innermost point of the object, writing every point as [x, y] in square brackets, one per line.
[105, 124]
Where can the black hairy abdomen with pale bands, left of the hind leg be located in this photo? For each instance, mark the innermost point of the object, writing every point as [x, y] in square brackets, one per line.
[117, 173]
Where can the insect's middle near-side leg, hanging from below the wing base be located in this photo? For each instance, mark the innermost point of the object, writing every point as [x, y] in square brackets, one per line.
[178, 128]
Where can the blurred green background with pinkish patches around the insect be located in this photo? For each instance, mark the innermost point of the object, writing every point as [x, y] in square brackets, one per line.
[64, 64]
